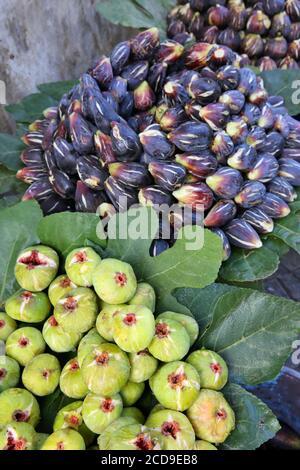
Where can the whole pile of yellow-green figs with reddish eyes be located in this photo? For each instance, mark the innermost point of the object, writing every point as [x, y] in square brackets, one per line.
[115, 359]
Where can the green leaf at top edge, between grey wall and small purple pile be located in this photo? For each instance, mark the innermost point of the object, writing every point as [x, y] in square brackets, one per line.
[136, 13]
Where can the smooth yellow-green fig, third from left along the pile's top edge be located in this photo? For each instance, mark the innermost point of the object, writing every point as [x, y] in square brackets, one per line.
[114, 281]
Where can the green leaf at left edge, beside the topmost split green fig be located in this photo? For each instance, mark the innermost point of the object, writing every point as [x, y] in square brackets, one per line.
[18, 230]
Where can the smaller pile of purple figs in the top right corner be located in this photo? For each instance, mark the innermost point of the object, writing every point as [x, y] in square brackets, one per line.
[266, 32]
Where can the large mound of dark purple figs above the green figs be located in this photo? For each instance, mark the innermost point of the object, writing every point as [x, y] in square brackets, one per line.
[160, 123]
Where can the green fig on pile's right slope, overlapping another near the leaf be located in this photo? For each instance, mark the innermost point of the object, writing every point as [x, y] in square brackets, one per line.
[171, 341]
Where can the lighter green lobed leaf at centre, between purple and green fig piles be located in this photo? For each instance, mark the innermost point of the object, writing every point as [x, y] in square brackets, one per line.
[176, 267]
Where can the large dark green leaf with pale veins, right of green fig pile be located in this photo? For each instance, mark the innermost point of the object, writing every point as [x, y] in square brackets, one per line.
[254, 332]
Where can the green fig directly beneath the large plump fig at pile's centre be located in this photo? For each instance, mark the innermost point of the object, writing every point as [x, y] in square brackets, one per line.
[99, 412]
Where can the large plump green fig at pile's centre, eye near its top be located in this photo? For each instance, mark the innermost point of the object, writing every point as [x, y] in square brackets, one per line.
[106, 369]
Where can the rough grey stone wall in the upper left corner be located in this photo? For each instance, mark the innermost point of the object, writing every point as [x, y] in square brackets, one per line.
[49, 40]
